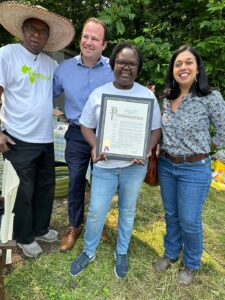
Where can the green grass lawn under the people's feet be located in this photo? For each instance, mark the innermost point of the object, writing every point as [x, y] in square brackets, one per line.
[47, 277]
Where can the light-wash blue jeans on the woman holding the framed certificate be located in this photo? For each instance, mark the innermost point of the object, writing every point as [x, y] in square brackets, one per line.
[105, 183]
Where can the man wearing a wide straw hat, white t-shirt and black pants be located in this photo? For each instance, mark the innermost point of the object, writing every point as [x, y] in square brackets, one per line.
[27, 128]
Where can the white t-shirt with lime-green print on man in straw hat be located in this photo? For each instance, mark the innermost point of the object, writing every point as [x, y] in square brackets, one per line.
[27, 107]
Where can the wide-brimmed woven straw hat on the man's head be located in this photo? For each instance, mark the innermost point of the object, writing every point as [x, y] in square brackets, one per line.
[13, 14]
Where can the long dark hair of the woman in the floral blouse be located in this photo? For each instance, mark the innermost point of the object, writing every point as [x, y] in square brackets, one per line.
[199, 87]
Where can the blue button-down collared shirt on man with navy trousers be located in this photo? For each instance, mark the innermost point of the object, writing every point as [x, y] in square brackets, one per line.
[77, 81]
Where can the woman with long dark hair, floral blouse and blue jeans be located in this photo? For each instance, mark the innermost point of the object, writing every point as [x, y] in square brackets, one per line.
[190, 107]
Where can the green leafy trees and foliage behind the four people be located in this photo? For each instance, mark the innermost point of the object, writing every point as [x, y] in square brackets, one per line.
[158, 27]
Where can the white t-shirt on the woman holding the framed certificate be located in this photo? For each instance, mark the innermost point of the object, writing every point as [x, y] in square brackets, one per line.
[91, 113]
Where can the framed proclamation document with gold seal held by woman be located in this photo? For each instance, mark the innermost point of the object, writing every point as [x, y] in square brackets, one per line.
[125, 127]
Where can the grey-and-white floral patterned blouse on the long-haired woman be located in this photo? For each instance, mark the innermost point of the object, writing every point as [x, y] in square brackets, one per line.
[187, 131]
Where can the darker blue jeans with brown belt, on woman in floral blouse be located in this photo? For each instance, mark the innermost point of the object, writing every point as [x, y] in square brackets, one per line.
[184, 188]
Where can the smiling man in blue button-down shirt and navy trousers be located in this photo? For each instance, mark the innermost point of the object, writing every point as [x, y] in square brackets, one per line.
[77, 78]
